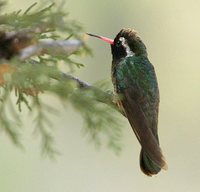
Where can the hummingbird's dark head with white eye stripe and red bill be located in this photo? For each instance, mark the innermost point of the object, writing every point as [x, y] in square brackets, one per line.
[126, 43]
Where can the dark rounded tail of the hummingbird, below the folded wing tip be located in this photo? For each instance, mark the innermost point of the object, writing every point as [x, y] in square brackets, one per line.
[147, 166]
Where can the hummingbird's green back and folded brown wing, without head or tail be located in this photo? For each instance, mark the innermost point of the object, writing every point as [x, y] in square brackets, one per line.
[136, 82]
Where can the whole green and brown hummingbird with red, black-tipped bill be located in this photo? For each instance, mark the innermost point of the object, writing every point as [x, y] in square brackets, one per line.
[135, 80]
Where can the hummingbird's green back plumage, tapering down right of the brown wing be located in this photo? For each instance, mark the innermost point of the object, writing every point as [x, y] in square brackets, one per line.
[137, 72]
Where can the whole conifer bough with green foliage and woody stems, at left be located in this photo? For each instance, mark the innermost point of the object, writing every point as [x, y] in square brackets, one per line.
[32, 47]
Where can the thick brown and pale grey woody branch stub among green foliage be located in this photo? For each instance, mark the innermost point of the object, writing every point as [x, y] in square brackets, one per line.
[24, 45]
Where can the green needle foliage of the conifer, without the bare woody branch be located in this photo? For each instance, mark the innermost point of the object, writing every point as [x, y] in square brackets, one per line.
[42, 75]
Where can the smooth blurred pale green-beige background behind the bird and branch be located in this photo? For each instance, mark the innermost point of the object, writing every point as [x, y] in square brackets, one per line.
[170, 30]
